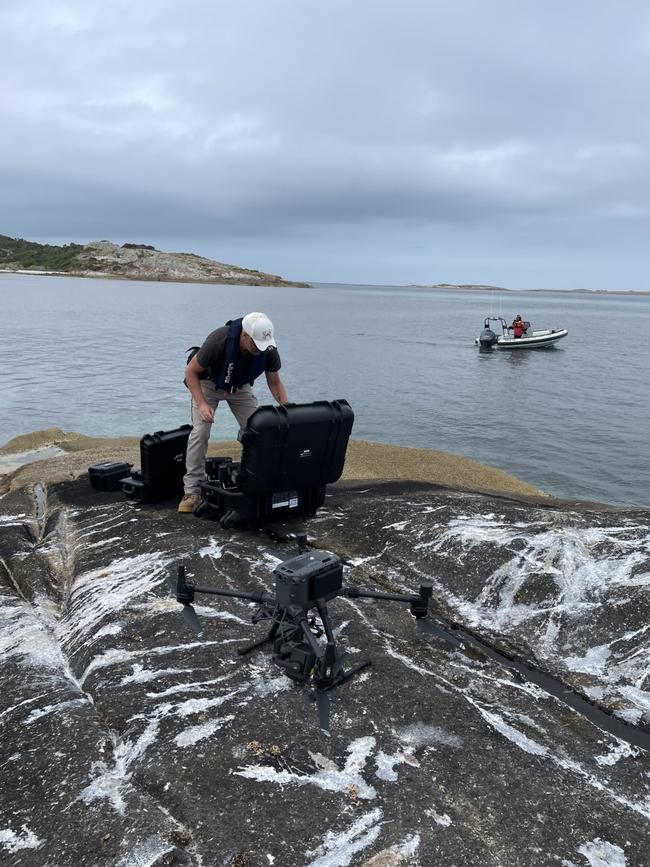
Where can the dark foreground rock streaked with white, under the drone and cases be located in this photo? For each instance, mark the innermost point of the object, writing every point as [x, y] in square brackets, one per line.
[125, 741]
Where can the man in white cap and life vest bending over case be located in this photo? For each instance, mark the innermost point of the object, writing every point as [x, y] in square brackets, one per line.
[224, 368]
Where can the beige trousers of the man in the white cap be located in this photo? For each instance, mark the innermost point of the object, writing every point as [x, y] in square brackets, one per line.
[242, 403]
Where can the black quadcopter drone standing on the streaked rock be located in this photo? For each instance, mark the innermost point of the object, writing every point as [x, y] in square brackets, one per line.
[303, 583]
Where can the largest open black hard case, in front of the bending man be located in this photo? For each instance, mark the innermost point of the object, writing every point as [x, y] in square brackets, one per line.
[289, 454]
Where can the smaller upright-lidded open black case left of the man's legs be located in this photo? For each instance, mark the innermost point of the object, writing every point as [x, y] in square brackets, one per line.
[162, 466]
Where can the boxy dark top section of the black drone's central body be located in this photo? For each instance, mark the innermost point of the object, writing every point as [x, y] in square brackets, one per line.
[314, 575]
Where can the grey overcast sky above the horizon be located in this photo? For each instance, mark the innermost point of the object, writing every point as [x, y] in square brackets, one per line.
[413, 141]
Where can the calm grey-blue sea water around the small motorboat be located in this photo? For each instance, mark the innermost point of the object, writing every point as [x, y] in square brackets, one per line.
[105, 357]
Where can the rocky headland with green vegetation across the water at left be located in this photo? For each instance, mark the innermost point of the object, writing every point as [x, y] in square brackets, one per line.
[129, 262]
